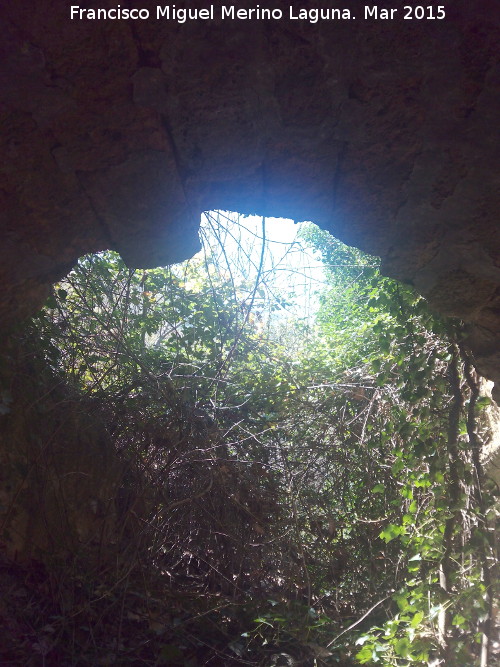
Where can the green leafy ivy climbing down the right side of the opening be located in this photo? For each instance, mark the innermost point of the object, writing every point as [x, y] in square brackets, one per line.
[427, 431]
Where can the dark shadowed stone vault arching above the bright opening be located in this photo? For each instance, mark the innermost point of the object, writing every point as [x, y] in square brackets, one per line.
[117, 134]
